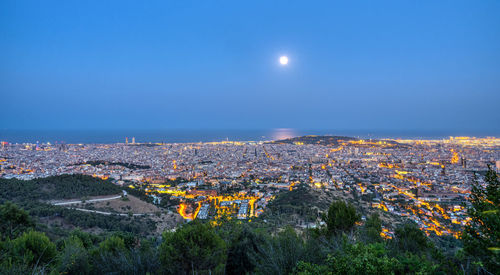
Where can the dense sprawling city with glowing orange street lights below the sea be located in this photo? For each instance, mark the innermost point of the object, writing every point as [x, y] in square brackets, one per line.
[427, 181]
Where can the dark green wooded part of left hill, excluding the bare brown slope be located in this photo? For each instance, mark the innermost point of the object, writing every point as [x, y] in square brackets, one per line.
[34, 196]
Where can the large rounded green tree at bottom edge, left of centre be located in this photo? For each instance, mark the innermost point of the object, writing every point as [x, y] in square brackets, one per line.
[193, 248]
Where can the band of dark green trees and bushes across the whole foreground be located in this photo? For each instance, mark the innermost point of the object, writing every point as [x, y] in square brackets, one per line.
[233, 247]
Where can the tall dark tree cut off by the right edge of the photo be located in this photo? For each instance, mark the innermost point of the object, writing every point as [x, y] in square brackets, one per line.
[481, 236]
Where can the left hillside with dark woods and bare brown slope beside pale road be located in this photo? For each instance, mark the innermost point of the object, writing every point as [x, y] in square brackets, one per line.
[37, 195]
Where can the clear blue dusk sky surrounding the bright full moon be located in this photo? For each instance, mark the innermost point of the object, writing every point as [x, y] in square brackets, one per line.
[398, 65]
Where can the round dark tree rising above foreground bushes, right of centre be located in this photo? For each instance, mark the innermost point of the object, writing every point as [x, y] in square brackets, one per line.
[341, 217]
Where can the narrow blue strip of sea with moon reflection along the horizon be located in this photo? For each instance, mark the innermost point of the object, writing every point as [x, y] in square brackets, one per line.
[189, 136]
